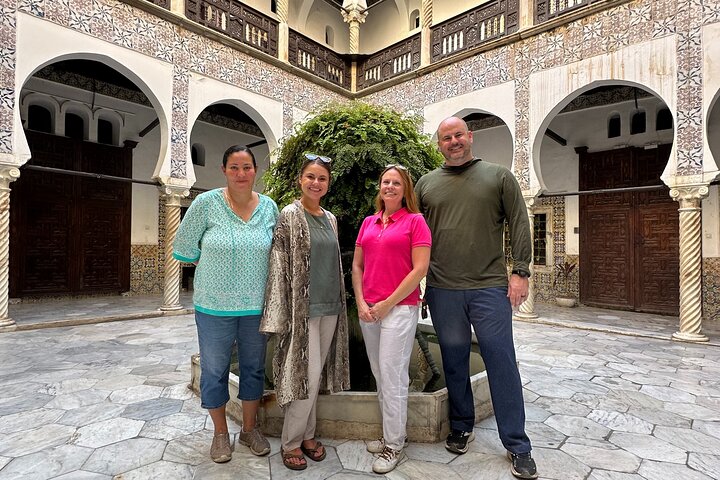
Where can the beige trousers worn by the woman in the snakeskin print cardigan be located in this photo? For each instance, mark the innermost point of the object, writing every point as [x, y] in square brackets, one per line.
[301, 415]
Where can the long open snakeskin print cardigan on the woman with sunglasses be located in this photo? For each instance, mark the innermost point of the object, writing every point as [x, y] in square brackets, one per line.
[286, 314]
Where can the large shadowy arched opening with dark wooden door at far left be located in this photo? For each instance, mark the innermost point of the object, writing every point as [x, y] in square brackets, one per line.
[73, 234]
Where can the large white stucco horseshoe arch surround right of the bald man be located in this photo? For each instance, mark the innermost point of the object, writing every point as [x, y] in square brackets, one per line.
[650, 66]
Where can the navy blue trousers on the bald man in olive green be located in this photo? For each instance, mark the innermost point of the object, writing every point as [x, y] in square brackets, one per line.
[489, 313]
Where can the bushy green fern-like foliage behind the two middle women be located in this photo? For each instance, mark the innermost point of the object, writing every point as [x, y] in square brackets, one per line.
[361, 139]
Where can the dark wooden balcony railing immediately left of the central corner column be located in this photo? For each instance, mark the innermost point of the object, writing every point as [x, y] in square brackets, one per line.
[317, 59]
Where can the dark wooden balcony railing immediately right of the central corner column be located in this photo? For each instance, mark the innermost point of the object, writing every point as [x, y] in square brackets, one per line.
[397, 59]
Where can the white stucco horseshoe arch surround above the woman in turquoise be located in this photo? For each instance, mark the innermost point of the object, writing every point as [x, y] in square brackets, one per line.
[267, 113]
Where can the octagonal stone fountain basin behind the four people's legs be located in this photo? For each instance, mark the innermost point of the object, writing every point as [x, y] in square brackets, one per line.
[356, 414]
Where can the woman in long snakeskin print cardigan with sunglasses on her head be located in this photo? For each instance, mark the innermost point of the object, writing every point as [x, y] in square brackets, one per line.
[305, 309]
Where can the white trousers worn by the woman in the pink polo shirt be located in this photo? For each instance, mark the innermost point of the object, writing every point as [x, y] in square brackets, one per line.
[389, 345]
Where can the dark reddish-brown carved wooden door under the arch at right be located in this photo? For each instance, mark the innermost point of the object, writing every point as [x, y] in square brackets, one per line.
[629, 241]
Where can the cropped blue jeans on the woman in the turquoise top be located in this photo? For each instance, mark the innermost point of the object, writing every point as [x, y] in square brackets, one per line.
[217, 336]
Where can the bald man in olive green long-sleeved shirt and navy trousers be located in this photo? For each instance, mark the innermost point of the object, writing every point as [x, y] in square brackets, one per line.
[466, 203]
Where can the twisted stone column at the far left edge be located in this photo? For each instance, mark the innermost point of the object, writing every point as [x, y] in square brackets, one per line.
[8, 174]
